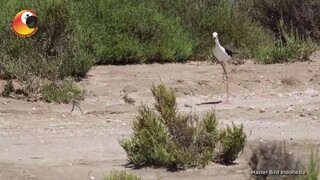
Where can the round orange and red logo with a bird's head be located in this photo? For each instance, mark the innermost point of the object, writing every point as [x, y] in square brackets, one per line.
[25, 23]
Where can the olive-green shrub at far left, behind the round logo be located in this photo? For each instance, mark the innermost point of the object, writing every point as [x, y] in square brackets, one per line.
[53, 52]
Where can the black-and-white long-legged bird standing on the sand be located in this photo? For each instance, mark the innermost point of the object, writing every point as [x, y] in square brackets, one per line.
[222, 55]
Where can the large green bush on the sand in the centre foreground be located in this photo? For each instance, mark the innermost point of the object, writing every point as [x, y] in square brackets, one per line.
[168, 139]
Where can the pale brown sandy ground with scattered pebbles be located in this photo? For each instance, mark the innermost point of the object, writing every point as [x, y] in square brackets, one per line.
[46, 142]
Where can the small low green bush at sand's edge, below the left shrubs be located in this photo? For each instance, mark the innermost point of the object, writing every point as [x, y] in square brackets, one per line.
[60, 92]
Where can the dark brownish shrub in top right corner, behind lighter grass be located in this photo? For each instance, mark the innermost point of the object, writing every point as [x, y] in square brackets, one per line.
[303, 15]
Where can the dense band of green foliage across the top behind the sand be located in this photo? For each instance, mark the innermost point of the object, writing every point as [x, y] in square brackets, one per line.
[74, 35]
